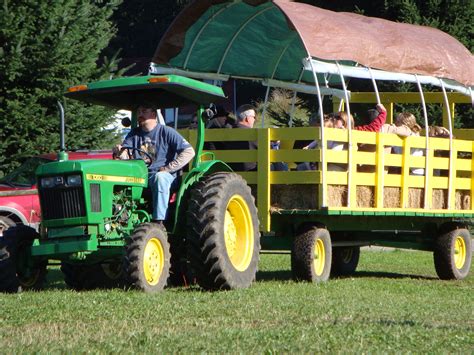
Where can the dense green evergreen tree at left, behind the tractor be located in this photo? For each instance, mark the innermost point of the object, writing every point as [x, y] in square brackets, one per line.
[47, 46]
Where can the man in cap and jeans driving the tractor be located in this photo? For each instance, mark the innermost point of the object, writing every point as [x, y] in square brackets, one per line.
[169, 153]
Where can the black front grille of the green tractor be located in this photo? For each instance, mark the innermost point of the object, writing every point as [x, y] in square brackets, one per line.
[62, 202]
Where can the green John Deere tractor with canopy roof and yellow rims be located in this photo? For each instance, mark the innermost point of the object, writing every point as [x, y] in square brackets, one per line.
[96, 217]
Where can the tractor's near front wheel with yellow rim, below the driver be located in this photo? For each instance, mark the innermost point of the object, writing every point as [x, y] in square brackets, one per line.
[147, 259]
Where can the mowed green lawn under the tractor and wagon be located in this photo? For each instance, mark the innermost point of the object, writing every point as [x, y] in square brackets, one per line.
[394, 303]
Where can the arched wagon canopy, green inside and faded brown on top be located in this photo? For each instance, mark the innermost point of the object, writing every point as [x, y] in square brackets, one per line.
[270, 39]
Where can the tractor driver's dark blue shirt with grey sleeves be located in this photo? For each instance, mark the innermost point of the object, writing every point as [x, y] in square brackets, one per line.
[162, 143]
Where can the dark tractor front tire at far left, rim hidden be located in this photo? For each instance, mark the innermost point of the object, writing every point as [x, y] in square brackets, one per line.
[18, 271]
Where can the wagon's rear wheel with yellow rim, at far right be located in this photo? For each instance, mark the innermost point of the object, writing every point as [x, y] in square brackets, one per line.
[453, 254]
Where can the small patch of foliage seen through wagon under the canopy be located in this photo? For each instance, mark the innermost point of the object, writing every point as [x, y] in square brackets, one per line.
[278, 110]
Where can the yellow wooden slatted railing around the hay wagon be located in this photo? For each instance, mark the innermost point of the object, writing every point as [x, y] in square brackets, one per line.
[381, 180]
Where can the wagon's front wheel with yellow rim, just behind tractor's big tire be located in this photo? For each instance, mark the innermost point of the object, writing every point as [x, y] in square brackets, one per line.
[311, 255]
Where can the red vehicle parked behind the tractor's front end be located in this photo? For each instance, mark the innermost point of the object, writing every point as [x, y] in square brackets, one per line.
[19, 203]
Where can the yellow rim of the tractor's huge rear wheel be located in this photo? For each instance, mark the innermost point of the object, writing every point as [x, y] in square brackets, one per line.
[238, 233]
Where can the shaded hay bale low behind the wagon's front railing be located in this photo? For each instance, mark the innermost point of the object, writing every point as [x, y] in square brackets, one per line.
[294, 197]
